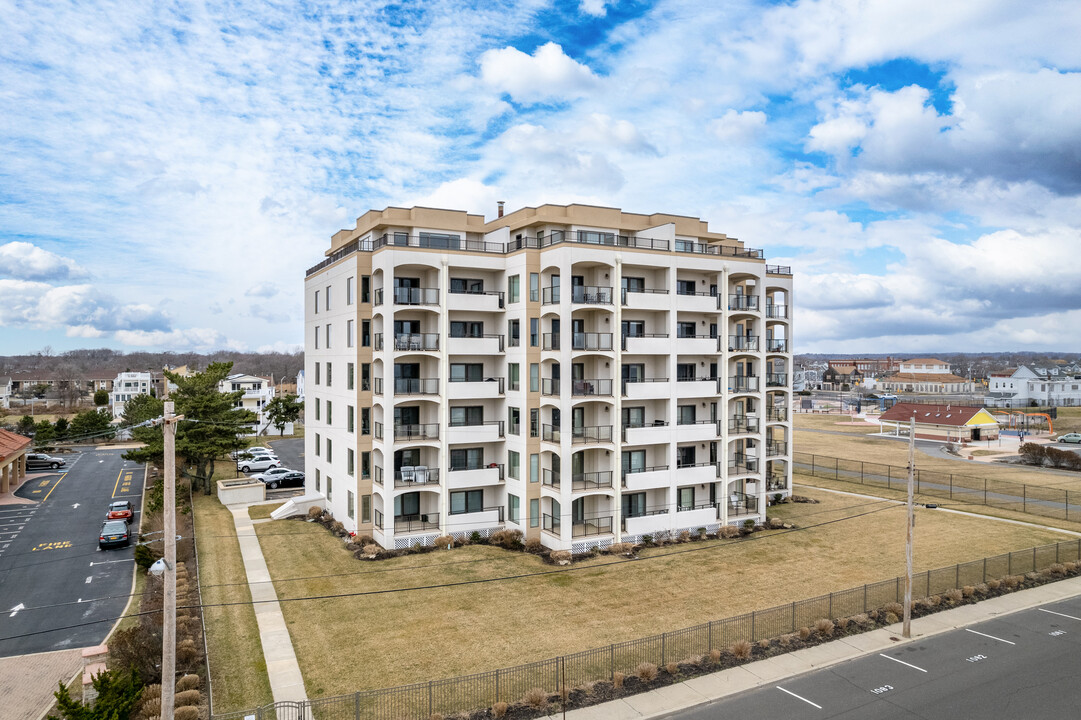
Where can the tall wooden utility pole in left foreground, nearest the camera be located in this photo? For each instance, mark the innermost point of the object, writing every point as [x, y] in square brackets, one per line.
[169, 605]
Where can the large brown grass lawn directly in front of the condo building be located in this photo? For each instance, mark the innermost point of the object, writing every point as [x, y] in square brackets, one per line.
[422, 635]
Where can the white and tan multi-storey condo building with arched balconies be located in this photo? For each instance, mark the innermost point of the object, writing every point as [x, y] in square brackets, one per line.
[579, 374]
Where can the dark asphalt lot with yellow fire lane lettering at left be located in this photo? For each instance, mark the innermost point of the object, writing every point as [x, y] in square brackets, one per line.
[50, 555]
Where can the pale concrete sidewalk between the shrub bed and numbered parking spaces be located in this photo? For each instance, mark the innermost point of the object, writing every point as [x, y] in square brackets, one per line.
[719, 686]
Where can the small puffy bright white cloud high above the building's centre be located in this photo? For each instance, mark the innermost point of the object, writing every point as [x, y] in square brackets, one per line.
[549, 74]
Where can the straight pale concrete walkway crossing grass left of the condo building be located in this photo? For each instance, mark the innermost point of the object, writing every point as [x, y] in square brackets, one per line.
[287, 684]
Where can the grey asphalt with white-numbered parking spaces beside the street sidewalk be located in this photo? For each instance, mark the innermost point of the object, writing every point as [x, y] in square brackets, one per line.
[1022, 665]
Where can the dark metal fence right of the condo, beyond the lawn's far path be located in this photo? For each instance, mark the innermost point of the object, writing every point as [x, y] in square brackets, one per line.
[1004, 495]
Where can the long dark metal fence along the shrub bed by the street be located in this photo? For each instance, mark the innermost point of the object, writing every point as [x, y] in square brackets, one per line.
[423, 700]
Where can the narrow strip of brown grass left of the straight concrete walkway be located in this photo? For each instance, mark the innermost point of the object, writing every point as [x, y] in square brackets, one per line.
[238, 671]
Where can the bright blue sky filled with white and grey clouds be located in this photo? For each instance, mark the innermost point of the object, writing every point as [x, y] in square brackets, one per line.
[169, 170]
